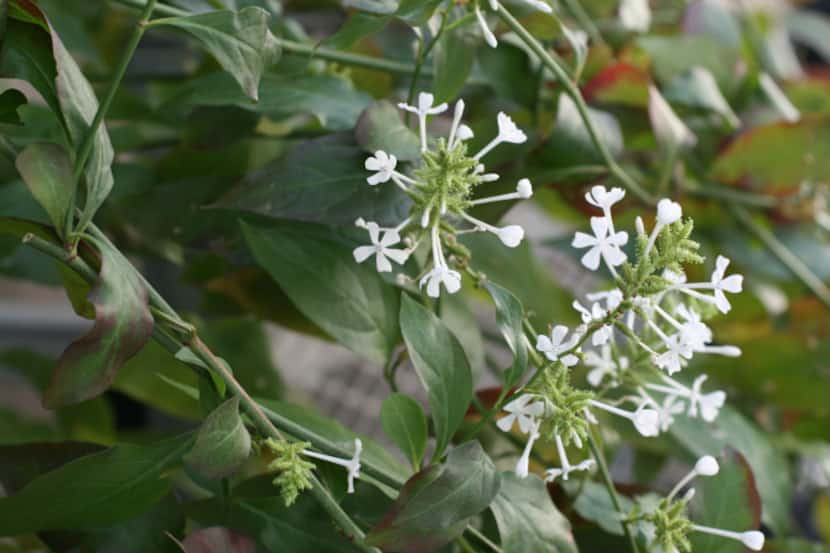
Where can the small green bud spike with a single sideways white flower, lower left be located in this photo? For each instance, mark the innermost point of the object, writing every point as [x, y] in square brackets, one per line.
[294, 472]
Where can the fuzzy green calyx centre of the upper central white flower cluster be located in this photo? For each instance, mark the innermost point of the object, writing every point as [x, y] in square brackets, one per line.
[445, 179]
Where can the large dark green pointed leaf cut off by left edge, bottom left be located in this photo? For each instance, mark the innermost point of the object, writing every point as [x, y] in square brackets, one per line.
[94, 491]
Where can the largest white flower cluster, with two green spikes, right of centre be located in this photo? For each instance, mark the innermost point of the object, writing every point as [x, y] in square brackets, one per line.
[638, 334]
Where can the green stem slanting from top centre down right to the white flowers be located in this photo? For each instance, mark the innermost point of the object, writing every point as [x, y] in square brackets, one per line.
[571, 90]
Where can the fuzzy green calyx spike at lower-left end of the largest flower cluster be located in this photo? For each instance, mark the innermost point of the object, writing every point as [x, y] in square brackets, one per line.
[567, 418]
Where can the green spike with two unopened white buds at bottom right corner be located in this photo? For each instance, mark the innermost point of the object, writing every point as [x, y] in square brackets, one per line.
[664, 522]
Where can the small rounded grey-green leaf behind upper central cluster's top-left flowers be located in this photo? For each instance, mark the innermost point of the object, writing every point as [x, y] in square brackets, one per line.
[380, 127]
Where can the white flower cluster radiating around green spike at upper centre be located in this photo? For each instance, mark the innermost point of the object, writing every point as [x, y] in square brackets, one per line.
[441, 187]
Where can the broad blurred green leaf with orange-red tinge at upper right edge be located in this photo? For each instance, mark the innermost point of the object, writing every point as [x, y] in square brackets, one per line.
[777, 158]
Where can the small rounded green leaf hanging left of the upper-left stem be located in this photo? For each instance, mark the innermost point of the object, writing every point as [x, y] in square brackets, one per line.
[47, 171]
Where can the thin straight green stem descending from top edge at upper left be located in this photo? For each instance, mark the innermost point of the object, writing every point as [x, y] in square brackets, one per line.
[85, 149]
